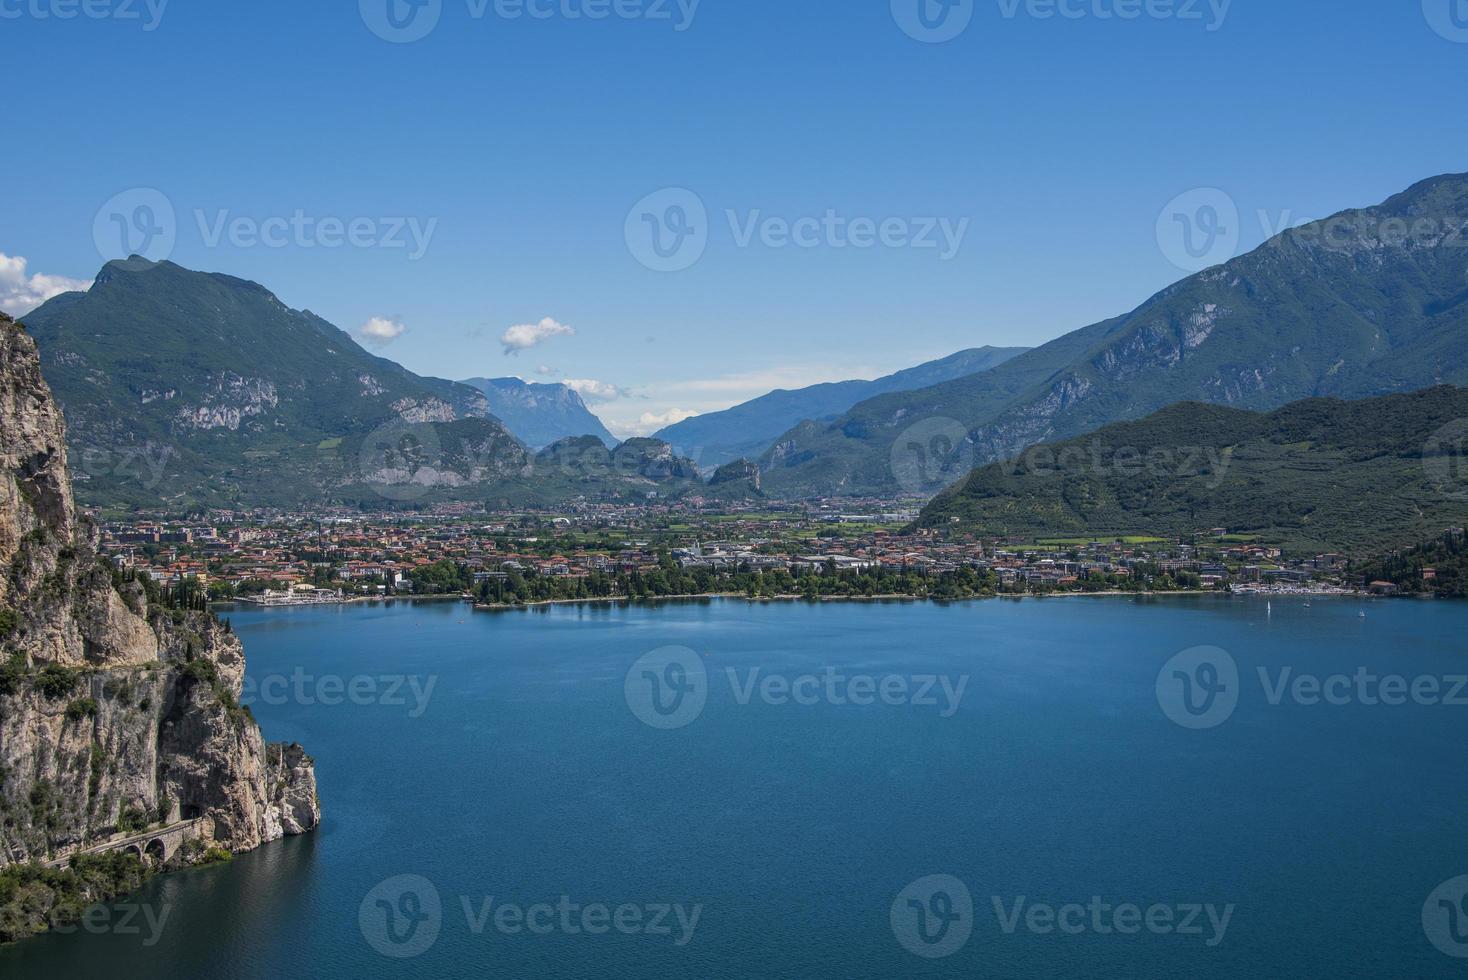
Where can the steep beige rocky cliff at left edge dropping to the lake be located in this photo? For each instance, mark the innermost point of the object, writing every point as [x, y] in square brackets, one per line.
[118, 701]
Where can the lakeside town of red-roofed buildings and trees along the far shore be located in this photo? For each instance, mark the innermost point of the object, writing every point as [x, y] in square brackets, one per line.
[628, 552]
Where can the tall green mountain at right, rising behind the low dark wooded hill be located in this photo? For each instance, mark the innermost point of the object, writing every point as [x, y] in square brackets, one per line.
[1366, 303]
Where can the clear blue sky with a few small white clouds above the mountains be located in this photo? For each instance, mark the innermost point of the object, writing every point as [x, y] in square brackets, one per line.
[520, 147]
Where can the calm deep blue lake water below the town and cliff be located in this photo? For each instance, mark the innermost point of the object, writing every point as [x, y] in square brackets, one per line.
[1042, 816]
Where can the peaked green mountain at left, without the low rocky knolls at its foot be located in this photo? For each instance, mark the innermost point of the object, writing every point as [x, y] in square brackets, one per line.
[184, 387]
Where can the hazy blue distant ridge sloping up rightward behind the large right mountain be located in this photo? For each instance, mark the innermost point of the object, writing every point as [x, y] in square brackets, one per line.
[749, 429]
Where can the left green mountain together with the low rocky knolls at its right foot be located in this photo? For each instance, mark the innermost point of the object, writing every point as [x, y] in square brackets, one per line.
[184, 388]
